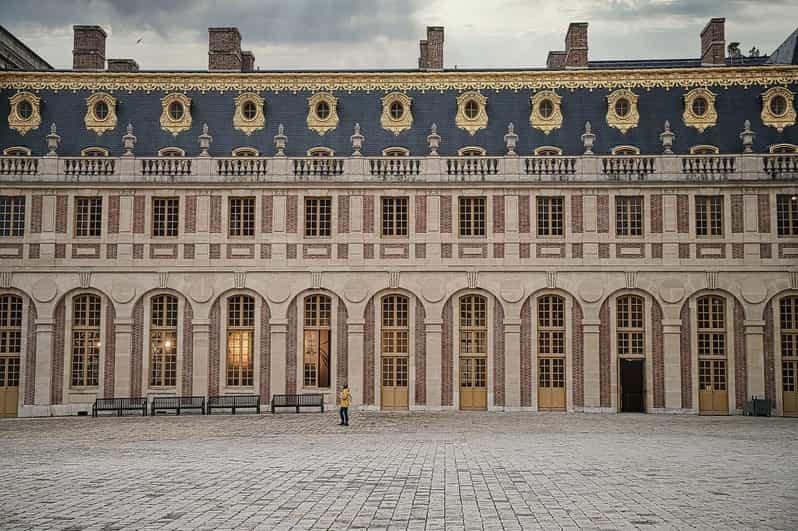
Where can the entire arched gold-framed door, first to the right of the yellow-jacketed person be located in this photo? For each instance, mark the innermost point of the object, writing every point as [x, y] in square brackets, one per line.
[395, 351]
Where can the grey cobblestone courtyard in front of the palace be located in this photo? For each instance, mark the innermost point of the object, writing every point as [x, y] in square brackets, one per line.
[399, 471]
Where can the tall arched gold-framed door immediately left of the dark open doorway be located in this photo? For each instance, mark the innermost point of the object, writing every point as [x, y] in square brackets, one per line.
[551, 353]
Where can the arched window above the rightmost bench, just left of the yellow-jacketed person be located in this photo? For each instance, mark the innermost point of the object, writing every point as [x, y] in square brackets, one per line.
[317, 341]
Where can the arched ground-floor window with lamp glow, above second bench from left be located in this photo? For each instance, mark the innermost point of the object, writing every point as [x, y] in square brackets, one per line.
[163, 341]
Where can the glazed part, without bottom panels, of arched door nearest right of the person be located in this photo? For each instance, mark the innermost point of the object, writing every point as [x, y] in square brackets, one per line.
[395, 332]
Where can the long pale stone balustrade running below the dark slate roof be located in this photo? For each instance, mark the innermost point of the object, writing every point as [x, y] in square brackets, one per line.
[597, 169]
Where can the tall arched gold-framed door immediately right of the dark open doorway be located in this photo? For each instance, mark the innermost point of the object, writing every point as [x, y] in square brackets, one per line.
[712, 350]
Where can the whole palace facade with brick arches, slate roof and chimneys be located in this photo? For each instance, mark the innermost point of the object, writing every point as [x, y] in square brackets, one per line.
[598, 236]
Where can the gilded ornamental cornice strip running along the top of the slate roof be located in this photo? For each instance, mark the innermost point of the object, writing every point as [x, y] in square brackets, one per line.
[686, 78]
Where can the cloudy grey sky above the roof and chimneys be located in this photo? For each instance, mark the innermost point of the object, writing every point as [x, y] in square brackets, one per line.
[288, 34]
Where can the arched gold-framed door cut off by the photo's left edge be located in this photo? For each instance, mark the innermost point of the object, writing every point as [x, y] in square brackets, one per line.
[10, 351]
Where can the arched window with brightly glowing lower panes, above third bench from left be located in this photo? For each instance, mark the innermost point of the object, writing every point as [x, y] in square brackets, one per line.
[240, 339]
